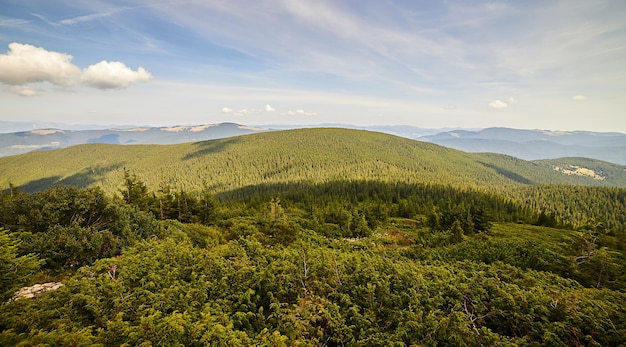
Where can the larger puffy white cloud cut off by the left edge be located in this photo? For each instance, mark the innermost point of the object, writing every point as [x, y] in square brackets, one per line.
[25, 63]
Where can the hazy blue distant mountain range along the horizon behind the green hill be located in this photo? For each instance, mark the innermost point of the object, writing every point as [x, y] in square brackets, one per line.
[523, 144]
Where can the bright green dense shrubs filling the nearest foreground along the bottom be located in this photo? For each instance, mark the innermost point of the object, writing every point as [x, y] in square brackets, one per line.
[168, 293]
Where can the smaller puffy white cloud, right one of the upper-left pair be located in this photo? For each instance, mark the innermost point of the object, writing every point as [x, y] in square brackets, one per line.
[107, 75]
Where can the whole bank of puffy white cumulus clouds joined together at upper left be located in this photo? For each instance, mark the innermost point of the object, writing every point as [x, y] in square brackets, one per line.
[24, 64]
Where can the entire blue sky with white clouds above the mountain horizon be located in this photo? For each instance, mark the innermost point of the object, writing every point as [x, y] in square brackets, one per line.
[549, 64]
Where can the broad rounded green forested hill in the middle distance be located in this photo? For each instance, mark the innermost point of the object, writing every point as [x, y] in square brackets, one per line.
[314, 155]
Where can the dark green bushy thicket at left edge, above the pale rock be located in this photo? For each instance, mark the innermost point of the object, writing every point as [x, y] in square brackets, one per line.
[70, 227]
